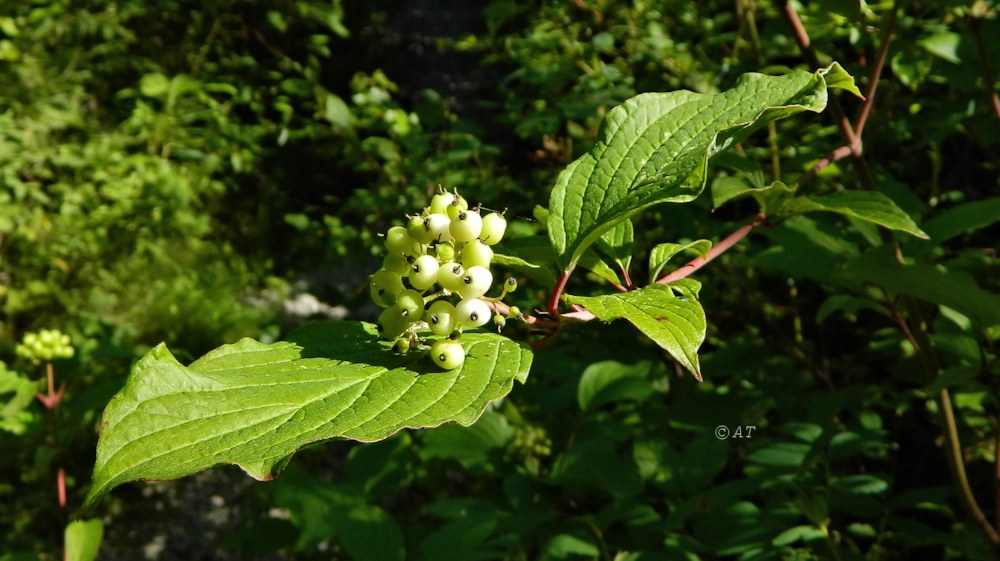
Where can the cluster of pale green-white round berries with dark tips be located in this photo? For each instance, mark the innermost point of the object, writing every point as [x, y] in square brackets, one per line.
[437, 272]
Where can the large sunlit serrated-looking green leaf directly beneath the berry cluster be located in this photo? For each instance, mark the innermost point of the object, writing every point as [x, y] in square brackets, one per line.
[254, 405]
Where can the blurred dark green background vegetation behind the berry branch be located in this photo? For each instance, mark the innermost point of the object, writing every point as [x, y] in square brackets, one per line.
[195, 172]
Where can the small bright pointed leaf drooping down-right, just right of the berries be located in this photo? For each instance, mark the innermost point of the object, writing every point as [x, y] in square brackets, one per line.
[670, 315]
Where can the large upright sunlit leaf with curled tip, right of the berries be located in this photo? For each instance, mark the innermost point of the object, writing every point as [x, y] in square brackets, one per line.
[654, 148]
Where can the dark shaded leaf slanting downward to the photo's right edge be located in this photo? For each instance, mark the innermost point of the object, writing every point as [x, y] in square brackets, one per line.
[925, 282]
